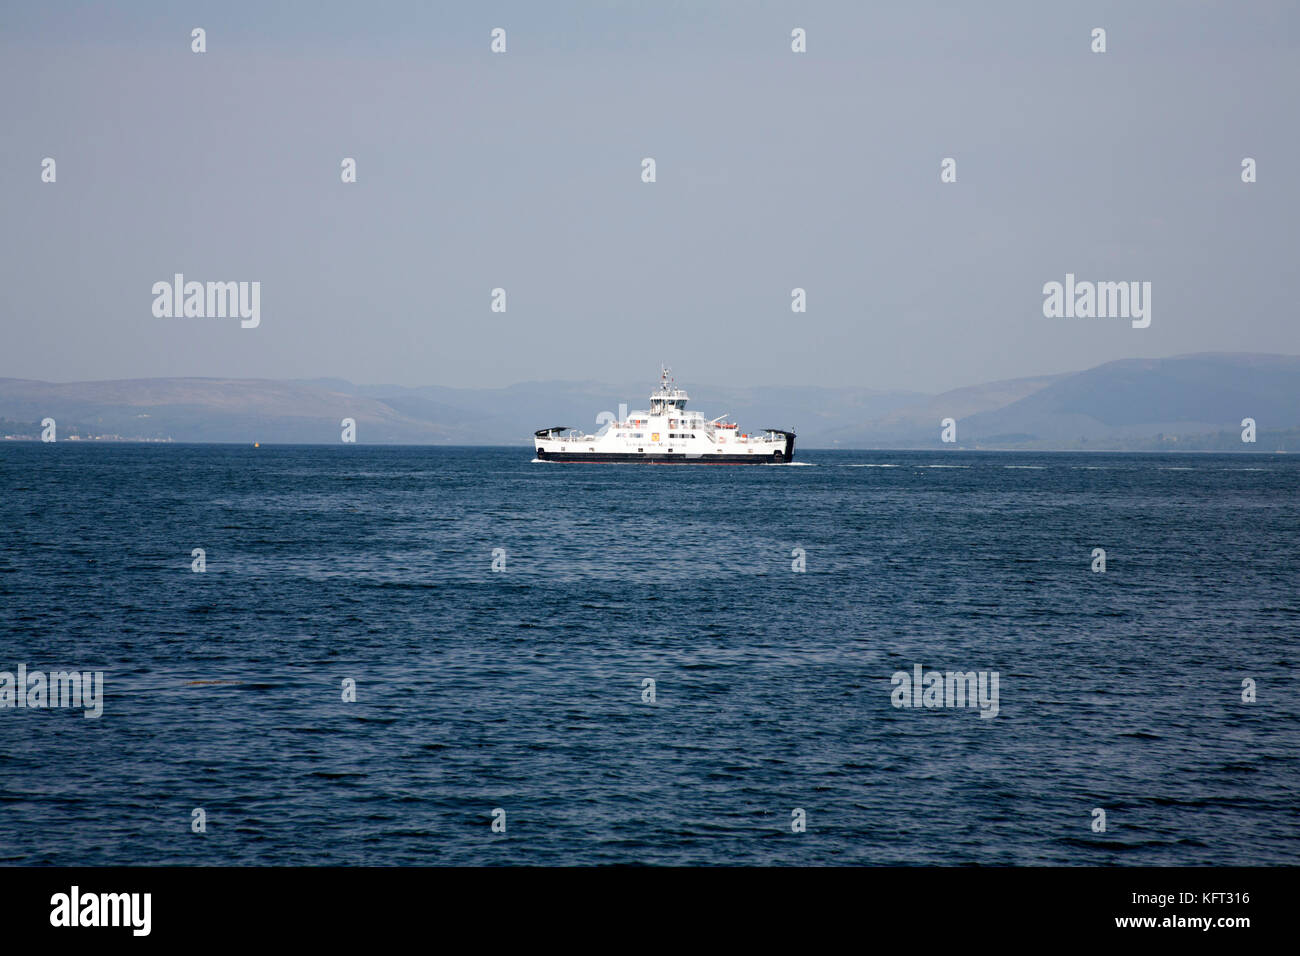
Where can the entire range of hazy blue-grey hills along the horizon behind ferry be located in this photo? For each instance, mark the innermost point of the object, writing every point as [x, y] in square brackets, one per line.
[1184, 403]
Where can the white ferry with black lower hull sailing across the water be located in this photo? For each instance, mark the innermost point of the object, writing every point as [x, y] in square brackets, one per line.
[666, 435]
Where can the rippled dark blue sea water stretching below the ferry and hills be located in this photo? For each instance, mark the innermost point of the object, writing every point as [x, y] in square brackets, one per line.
[523, 689]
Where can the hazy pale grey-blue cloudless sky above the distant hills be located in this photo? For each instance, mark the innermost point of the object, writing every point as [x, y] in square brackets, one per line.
[523, 171]
